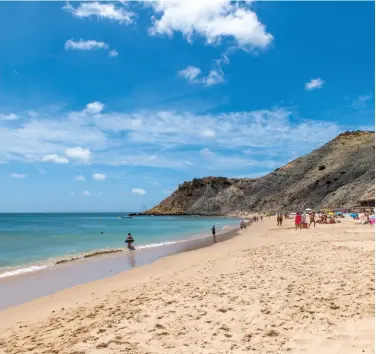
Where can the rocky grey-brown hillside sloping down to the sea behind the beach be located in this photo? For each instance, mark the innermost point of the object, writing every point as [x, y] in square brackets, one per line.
[336, 175]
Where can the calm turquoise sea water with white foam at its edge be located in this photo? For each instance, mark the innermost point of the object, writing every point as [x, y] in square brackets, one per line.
[30, 242]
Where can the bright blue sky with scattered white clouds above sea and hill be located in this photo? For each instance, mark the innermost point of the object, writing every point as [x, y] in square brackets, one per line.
[109, 106]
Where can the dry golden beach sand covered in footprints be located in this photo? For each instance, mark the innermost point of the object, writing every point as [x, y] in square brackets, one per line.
[268, 290]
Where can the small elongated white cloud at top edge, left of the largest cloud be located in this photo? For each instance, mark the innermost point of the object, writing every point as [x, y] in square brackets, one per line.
[102, 11]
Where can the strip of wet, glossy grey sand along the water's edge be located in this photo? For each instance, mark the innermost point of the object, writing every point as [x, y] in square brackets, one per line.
[75, 271]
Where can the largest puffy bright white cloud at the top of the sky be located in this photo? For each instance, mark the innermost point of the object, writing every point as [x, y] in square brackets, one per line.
[213, 20]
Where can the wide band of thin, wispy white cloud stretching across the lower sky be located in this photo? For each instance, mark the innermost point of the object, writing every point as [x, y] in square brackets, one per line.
[165, 139]
